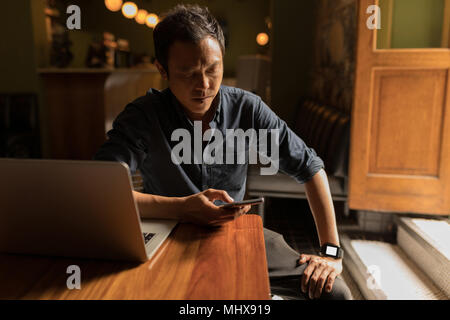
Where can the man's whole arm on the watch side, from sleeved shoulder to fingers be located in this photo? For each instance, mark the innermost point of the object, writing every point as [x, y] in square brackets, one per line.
[302, 163]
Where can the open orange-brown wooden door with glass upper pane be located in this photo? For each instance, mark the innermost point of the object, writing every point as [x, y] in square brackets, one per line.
[400, 133]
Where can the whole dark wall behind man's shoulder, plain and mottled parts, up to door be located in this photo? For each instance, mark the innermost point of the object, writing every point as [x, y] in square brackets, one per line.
[313, 54]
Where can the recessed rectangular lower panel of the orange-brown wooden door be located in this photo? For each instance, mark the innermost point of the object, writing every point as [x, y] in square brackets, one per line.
[406, 121]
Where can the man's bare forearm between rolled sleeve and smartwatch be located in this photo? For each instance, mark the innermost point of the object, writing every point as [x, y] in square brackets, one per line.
[321, 203]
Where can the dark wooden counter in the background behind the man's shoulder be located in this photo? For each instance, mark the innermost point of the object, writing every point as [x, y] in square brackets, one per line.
[82, 103]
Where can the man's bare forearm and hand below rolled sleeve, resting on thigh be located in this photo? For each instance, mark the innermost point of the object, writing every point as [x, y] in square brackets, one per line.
[321, 271]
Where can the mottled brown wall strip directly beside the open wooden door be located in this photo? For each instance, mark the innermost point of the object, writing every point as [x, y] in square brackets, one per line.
[332, 82]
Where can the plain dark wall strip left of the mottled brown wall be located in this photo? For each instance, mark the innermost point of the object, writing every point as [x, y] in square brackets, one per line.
[292, 54]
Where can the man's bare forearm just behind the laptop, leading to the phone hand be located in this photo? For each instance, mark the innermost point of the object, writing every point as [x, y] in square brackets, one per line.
[153, 206]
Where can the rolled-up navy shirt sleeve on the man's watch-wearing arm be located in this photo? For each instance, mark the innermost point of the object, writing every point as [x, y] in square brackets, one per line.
[295, 158]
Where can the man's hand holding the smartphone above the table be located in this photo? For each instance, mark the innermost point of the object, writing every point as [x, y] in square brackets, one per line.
[200, 208]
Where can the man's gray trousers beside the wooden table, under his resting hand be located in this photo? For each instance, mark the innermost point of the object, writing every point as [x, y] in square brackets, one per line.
[285, 272]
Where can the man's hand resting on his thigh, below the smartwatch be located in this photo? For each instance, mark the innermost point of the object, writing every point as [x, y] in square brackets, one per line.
[319, 274]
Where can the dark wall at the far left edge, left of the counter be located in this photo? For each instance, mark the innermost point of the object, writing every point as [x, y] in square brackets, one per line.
[22, 50]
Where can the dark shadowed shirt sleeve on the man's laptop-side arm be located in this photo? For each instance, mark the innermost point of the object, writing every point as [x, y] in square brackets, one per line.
[126, 140]
